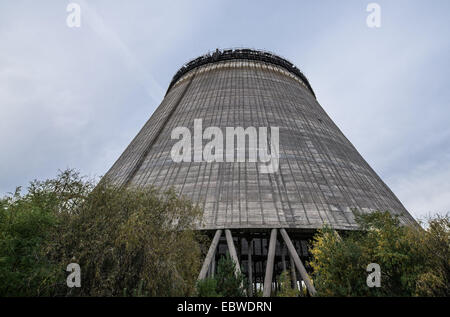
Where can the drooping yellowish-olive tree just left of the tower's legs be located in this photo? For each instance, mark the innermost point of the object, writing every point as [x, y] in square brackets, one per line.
[128, 239]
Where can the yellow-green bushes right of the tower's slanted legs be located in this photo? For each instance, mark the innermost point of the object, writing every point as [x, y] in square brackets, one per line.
[413, 261]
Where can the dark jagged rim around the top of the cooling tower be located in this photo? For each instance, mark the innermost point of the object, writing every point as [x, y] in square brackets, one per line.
[240, 53]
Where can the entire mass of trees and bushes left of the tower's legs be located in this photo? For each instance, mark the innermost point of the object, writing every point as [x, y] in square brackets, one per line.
[128, 242]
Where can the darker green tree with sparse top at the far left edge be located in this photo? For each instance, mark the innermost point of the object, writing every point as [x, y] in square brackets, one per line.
[27, 223]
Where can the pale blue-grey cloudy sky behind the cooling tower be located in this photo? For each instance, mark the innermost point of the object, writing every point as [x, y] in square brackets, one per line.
[76, 97]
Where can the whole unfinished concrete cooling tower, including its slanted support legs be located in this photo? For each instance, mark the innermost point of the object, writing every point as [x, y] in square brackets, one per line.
[241, 134]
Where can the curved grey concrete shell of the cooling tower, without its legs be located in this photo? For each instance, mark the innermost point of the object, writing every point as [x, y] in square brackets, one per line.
[321, 176]
